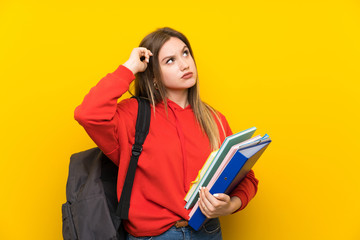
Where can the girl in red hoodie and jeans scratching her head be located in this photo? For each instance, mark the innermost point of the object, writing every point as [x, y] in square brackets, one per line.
[183, 132]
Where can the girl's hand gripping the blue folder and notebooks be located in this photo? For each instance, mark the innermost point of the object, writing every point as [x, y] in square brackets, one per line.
[217, 205]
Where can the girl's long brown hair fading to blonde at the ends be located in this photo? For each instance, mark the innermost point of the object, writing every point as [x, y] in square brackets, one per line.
[144, 86]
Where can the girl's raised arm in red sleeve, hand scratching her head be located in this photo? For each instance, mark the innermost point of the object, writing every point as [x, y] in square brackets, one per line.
[99, 113]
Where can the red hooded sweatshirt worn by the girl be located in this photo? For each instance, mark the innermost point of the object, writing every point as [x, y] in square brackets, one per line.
[173, 152]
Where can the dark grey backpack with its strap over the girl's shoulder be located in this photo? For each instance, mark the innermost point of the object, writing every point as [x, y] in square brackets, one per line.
[92, 210]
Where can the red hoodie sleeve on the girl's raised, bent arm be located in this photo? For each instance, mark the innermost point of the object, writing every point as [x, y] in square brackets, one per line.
[102, 117]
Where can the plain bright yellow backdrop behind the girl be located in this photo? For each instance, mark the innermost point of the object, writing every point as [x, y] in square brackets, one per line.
[290, 68]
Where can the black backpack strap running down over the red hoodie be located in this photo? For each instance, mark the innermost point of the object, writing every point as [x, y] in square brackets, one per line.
[142, 129]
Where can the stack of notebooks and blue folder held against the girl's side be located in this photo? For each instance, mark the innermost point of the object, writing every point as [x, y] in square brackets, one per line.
[225, 168]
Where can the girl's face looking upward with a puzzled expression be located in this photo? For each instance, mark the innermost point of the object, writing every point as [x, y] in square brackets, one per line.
[177, 67]
